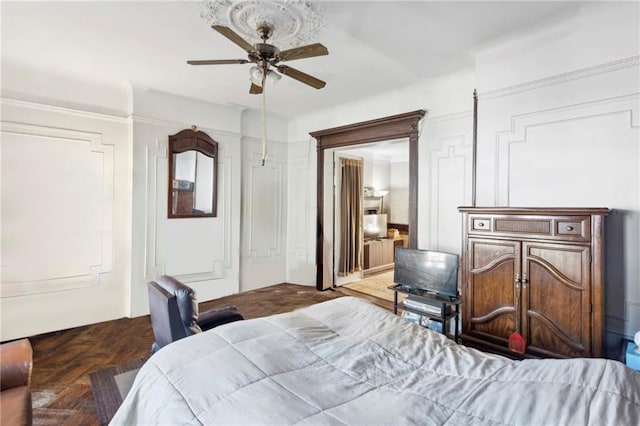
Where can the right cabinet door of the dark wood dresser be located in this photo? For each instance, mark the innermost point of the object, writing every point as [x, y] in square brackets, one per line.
[556, 299]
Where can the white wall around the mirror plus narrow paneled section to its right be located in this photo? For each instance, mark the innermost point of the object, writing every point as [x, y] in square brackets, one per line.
[244, 246]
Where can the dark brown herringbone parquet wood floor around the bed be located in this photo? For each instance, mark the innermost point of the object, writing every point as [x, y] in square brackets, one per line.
[62, 361]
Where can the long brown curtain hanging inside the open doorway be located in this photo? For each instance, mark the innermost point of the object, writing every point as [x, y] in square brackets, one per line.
[350, 217]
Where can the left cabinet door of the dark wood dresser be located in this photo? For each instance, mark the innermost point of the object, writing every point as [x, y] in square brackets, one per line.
[490, 301]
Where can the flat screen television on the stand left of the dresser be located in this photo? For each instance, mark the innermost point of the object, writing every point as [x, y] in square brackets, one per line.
[432, 271]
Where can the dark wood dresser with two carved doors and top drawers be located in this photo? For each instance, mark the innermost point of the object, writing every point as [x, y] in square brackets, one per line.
[538, 271]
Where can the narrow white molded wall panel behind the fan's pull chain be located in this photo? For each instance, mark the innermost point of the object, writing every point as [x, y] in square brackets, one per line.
[264, 243]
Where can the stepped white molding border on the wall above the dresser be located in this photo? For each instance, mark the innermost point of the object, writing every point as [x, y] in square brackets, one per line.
[504, 140]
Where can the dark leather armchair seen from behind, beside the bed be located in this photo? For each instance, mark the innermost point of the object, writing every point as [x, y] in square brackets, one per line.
[174, 312]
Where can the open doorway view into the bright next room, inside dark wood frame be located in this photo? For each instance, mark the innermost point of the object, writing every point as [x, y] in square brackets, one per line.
[384, 214]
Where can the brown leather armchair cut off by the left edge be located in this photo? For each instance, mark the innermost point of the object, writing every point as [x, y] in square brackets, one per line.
[16, 362]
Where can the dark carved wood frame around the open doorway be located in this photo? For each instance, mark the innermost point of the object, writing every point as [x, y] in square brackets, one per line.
[381, 129]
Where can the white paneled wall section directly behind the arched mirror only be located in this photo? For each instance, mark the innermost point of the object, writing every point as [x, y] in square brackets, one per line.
[202, 252]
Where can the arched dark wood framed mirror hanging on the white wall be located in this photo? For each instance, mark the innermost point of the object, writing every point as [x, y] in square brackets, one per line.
[193, 175]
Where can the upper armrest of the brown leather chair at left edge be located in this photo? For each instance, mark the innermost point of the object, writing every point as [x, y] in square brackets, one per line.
[16, 362]
